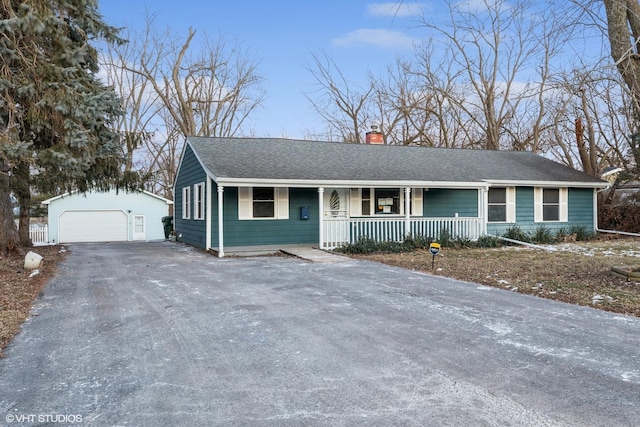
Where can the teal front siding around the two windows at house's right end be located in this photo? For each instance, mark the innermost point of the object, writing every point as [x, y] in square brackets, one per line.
[580, 212]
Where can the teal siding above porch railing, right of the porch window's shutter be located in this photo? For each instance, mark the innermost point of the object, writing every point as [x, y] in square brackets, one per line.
[445, 203]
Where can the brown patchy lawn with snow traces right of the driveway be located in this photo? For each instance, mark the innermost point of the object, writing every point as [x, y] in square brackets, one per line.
[577, 273]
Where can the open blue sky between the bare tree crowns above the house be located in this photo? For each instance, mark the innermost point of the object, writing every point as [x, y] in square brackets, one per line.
[360, 36]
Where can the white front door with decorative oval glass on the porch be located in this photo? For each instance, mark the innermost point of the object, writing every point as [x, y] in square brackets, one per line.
[336, 215]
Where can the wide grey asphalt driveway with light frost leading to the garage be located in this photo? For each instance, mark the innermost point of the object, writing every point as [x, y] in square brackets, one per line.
[151, 334]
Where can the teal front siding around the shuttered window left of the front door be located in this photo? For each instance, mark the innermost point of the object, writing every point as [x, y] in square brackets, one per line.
[269, 231]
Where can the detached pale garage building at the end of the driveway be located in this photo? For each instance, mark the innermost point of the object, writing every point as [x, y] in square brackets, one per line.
[106, 216]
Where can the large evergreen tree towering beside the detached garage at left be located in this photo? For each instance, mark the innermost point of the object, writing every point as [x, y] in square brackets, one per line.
[55, 114]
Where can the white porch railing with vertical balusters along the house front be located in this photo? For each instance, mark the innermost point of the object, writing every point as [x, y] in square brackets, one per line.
[338, 232]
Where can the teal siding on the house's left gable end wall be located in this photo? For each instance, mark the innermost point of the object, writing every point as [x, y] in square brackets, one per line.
[189, 231]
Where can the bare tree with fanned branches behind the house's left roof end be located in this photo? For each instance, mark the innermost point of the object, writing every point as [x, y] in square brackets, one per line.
[209, 92]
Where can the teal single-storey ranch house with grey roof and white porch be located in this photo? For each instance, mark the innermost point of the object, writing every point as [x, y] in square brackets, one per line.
[237, 192]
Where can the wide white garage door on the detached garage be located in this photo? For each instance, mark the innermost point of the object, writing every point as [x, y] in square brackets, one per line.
[93, 226]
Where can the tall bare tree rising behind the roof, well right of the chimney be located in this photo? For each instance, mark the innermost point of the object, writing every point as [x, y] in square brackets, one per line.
[492, 45]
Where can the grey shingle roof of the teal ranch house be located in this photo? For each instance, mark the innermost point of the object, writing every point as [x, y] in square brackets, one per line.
[286, 159]
